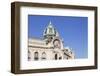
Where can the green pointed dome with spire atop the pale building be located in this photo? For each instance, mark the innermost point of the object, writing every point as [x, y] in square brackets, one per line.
[50, 31]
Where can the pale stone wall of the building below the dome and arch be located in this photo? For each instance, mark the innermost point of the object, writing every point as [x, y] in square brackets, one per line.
[41, 47]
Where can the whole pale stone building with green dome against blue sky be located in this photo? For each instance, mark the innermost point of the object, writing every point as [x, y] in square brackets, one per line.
[50, 47]
